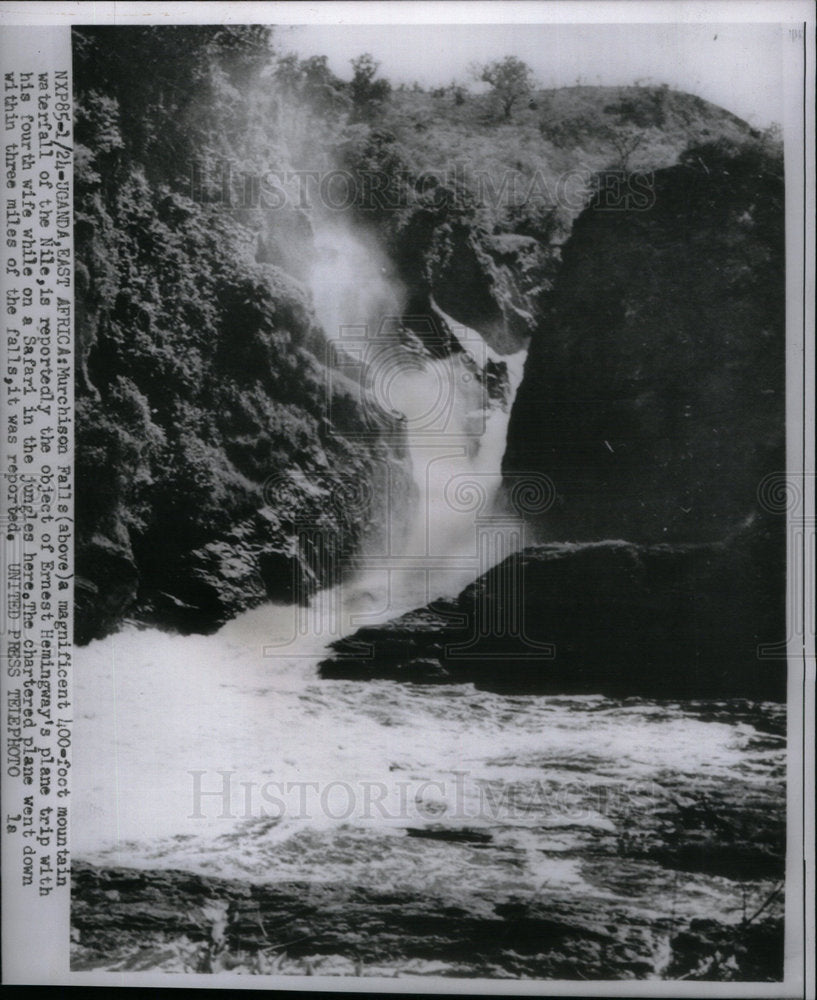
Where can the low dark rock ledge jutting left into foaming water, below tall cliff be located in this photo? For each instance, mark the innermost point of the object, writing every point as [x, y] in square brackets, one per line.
[607, 617]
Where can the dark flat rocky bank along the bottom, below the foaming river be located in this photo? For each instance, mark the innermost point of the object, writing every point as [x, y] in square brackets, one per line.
[178, 921]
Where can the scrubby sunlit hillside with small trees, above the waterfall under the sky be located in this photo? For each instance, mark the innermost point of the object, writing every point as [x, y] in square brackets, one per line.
[482, 204]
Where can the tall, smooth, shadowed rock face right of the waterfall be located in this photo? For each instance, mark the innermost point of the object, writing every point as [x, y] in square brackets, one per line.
[653, 393]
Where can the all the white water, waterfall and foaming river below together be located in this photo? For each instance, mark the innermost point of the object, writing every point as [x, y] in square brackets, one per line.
[226, 754]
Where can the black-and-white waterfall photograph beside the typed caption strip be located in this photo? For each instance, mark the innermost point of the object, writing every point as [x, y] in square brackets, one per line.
[436, 508]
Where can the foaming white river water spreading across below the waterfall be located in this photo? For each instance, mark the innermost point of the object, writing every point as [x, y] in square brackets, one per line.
[325, 780]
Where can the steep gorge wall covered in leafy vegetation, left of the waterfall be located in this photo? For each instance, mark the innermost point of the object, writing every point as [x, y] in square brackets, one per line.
[212, 429]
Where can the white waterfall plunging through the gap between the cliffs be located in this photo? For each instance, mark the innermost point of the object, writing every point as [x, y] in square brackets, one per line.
[455, 426]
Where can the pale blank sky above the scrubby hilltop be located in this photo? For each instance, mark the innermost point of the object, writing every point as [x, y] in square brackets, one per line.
[737, 66]
